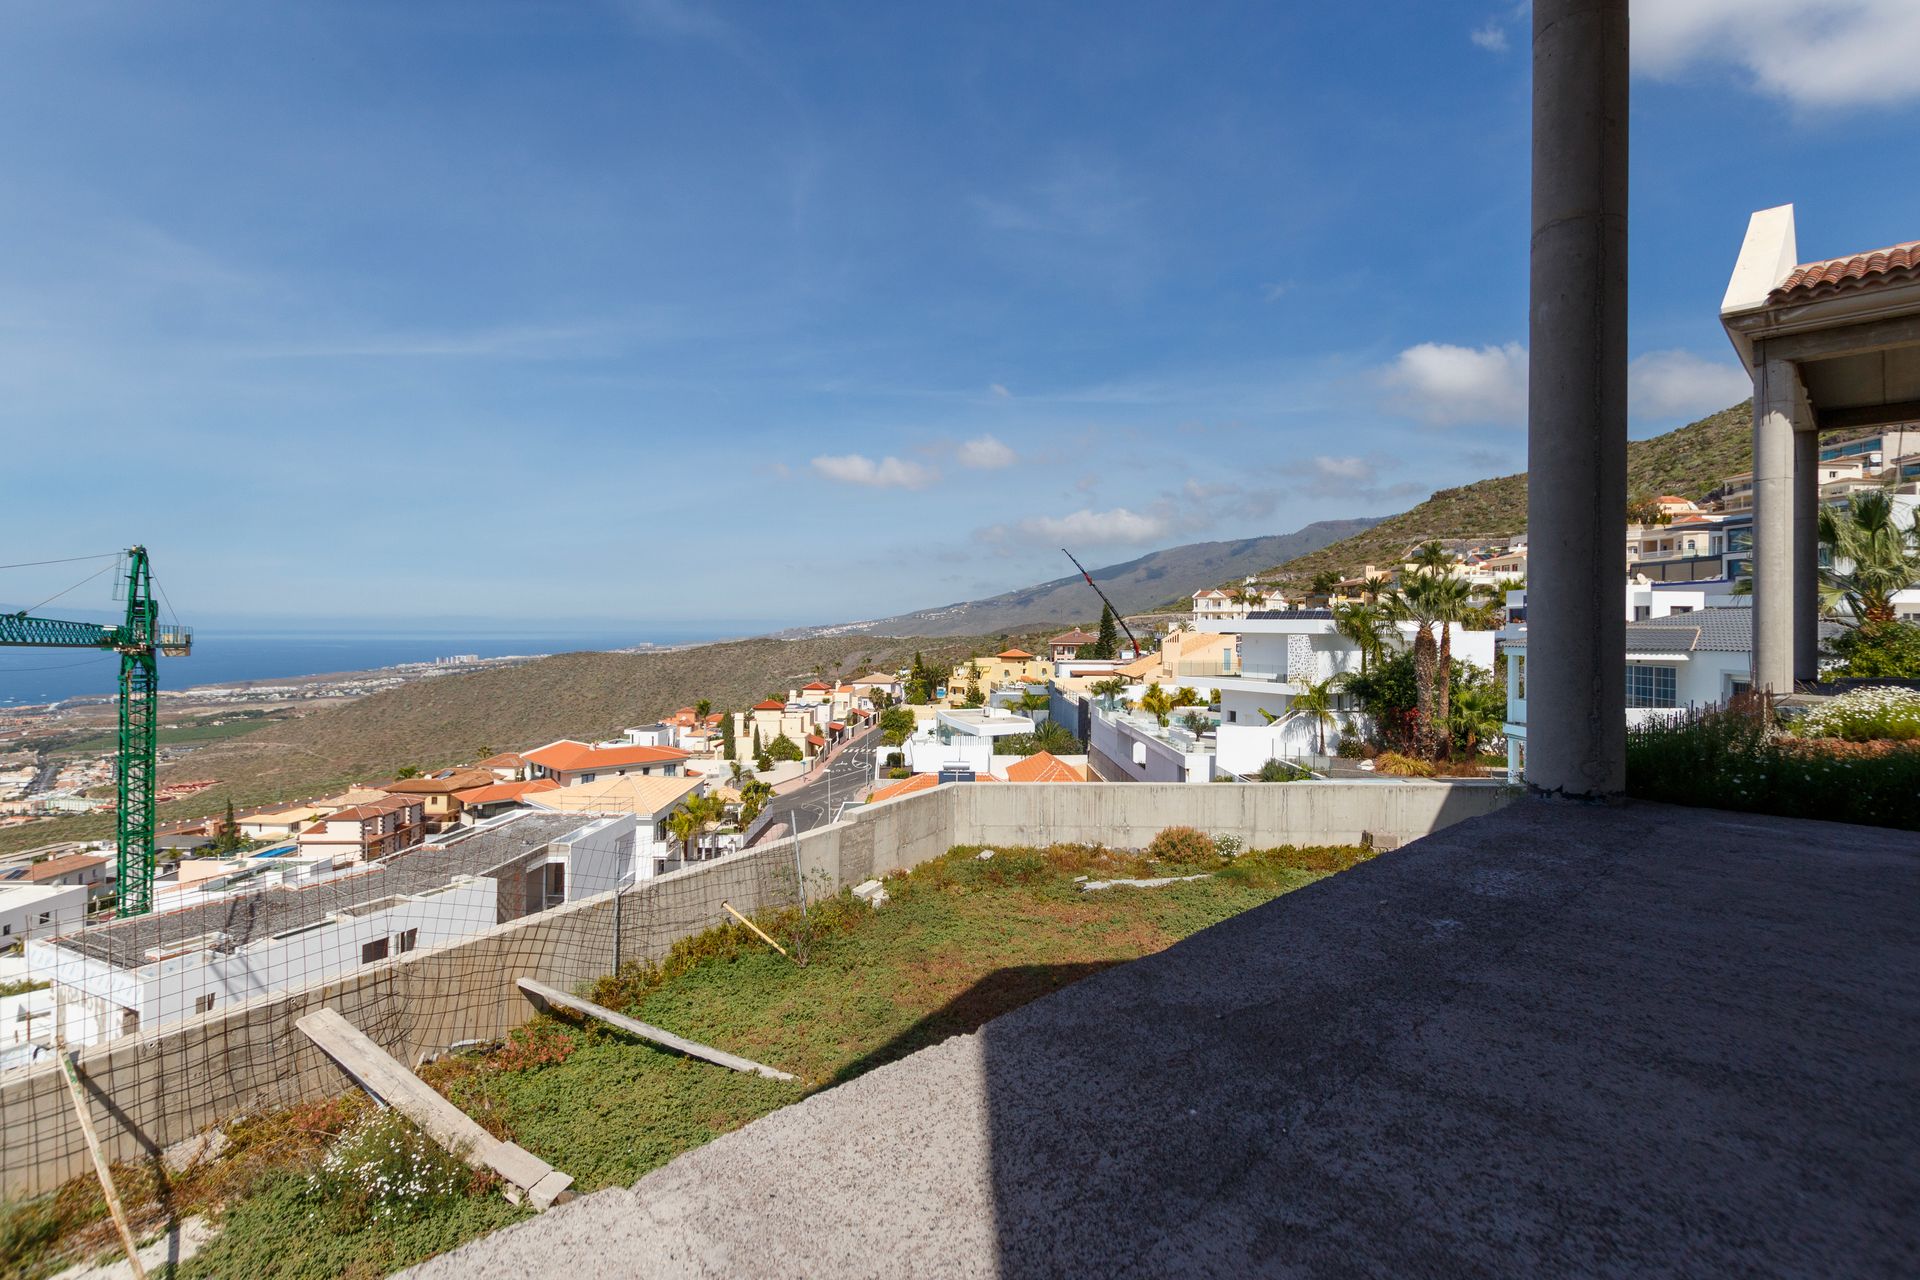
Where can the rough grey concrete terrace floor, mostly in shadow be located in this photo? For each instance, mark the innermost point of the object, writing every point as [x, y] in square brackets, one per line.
[1556, 1041]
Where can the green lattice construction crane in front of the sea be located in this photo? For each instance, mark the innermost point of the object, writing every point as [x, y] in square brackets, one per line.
[141, 640]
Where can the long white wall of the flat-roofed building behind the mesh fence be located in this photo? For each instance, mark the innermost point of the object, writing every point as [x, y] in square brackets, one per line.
[206, 982]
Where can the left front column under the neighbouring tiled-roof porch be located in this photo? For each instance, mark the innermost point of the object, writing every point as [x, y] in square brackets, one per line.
[1775, 450]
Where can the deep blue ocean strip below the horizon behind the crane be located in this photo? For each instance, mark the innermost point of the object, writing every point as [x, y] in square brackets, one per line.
[30, 676]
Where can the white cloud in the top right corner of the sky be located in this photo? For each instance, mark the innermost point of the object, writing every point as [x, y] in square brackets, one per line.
[1808, 53]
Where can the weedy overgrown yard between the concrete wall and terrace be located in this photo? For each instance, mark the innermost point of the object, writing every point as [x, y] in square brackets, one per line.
[335, 1191]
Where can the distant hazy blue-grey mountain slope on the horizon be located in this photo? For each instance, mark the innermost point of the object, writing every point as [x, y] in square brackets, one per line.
[1134, 586]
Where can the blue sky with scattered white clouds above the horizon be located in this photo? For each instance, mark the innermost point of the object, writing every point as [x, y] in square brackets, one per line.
[619, 312]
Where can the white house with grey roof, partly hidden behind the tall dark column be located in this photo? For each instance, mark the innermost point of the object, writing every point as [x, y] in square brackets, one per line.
[1687, 659]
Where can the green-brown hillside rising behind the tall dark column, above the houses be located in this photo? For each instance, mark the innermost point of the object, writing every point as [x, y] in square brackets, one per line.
[1689, 462]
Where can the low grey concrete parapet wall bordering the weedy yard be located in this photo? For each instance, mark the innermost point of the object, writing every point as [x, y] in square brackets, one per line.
[162, 1089]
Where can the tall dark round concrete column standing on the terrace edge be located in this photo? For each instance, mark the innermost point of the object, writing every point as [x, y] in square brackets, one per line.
[1577, 404]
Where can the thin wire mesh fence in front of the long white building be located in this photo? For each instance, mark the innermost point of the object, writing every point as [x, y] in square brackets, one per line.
[187, 1018]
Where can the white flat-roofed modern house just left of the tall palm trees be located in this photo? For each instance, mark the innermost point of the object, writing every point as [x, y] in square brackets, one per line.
[1280, 655]
